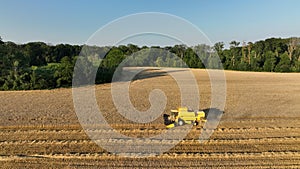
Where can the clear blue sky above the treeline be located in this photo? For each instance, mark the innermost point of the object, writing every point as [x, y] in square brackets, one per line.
[74, 21]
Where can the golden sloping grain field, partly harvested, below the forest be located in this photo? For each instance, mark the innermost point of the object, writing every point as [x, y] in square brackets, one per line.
[259, 129]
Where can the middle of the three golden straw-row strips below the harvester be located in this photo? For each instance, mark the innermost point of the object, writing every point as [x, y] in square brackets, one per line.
[193, 146]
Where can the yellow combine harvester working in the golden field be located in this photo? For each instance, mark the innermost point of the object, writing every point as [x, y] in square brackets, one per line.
[183, 116]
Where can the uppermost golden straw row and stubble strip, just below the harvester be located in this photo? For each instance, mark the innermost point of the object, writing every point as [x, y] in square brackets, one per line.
[219, 133]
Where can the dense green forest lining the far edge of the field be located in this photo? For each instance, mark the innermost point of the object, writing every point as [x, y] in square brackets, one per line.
[37, 65]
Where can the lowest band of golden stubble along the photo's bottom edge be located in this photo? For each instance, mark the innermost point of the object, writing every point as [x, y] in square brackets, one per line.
[167, 160]
